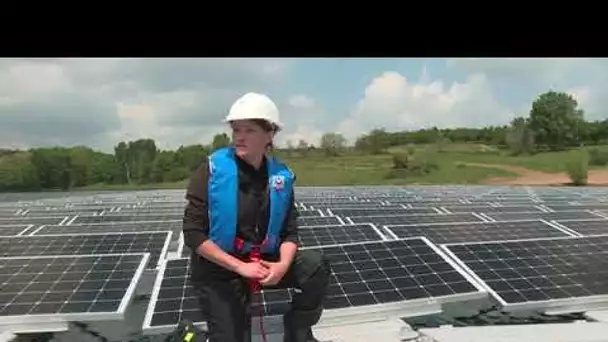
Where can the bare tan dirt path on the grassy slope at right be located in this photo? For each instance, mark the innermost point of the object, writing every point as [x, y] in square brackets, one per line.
[534, 177]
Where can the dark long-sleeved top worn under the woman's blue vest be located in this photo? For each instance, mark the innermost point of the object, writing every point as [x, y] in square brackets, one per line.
[253, 213]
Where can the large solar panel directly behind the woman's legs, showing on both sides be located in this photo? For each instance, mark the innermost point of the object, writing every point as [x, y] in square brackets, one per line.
[383, 275]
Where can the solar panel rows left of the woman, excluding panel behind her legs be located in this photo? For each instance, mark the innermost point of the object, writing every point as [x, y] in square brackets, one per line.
[53, 270]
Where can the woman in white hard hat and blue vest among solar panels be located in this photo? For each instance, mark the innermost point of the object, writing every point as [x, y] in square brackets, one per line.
[240, 200]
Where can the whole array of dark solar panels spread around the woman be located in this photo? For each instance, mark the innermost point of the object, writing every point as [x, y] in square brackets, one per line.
[391, 248]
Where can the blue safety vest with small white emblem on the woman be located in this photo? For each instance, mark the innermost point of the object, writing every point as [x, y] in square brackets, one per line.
[223, 189]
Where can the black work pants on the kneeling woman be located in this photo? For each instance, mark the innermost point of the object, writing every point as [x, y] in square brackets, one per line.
[225, 304]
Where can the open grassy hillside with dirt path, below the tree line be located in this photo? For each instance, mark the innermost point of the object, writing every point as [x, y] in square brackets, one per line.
[456, 164]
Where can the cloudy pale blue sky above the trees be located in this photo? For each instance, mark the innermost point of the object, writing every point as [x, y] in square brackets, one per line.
[182, 101]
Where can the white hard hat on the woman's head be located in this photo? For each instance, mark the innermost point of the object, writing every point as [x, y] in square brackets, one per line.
[254, 106]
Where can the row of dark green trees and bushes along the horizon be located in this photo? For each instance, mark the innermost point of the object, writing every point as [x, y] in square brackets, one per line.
[554, 122]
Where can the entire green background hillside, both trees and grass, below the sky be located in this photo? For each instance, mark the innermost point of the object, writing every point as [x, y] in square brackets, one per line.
[554, 145]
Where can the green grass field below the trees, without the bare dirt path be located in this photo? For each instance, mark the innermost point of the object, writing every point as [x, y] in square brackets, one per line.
[359, 169]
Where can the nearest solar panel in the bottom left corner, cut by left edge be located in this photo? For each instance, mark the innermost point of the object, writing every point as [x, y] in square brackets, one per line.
[45, 289]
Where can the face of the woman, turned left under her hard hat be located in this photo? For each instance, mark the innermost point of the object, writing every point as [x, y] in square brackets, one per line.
[249, 139]
